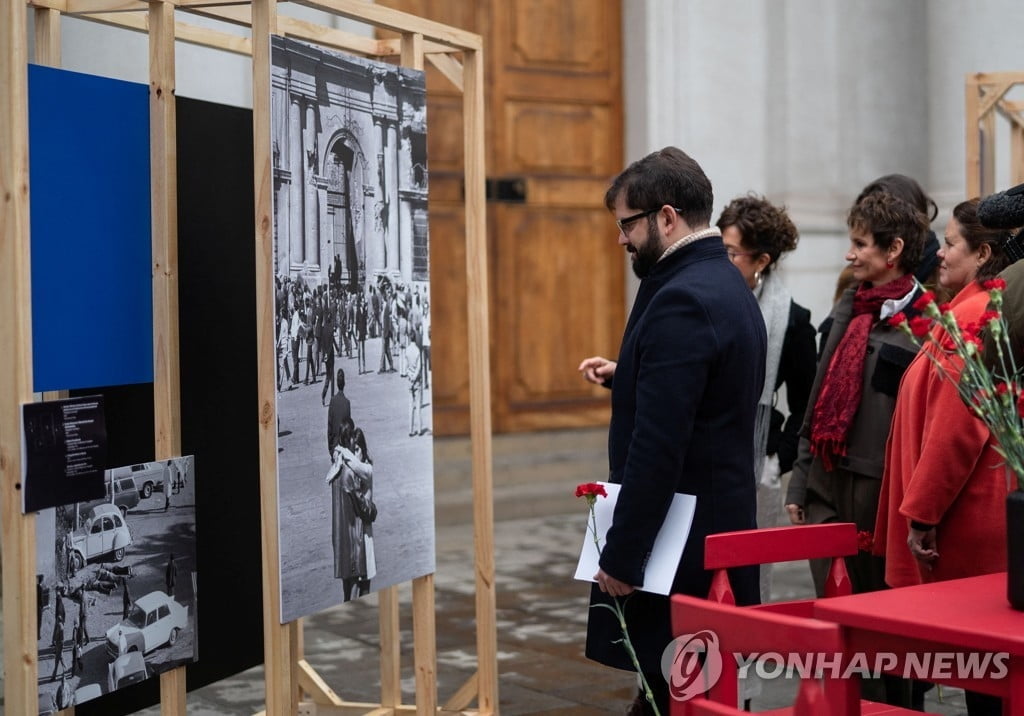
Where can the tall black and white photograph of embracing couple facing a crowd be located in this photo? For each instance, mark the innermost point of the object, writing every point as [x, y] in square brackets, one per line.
[353, 283]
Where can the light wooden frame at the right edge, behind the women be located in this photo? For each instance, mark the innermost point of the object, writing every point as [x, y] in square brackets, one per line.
[986, 99]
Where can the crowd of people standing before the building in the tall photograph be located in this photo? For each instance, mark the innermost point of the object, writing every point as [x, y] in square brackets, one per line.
[320, 324]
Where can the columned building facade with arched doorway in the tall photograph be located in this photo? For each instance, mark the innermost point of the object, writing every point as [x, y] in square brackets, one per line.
[350, 159]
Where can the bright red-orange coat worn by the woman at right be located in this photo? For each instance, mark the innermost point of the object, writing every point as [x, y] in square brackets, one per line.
[942, 470]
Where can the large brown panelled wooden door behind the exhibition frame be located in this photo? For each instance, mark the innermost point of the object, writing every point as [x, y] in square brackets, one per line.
[558, 276]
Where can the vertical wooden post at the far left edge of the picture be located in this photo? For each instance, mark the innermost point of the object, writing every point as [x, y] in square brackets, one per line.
[18, 532]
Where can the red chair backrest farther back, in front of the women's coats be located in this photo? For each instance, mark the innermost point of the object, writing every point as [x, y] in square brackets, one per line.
[749, 547]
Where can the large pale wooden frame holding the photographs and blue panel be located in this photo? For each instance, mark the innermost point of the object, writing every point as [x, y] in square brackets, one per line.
[459, 57]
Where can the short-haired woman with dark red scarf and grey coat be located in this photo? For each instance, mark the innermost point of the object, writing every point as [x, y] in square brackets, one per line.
[838, 474]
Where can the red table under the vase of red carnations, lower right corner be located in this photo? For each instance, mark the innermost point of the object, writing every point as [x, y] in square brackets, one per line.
[960, 616]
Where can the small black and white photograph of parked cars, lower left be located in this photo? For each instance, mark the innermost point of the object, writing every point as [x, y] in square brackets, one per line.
[116, 584]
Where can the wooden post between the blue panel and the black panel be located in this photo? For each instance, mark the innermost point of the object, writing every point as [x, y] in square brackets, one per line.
[163, 173]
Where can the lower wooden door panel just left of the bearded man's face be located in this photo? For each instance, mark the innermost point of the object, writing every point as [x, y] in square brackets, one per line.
[552, 288]
